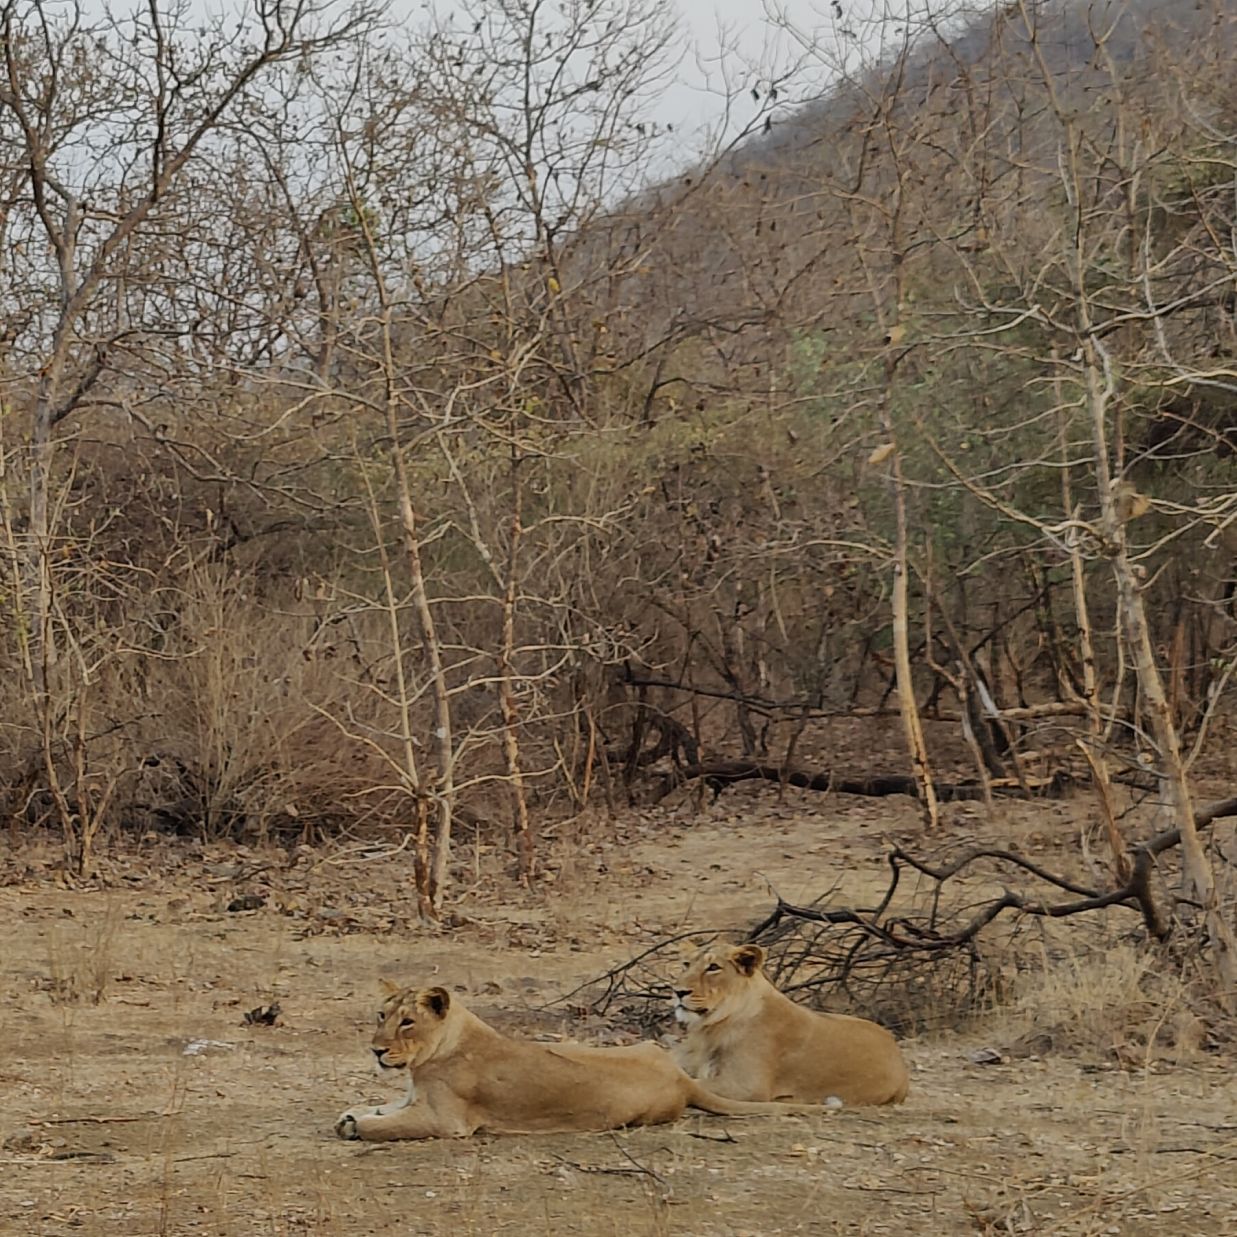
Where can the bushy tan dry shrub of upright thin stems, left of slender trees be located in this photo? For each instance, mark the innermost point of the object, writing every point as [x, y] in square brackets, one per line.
[259, 719]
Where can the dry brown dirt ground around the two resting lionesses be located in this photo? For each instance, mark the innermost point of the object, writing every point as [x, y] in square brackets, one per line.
[139, 1100]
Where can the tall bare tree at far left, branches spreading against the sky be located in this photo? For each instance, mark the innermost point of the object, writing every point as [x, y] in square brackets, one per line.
[105, 122]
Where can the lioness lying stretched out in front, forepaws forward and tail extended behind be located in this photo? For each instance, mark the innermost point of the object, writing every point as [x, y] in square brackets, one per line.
[464, 1077]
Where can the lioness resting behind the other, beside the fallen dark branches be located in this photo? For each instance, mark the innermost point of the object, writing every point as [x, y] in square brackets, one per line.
[750, 1042]
